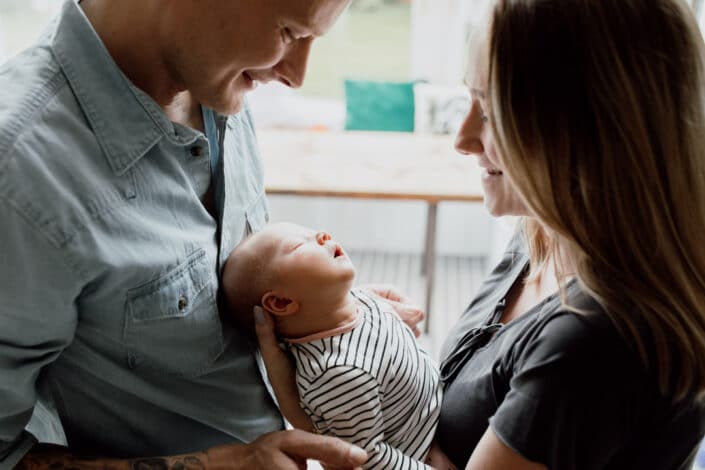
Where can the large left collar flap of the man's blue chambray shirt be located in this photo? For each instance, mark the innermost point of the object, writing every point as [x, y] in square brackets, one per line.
[125, 120]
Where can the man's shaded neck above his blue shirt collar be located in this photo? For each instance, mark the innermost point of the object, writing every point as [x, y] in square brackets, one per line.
[134, 44]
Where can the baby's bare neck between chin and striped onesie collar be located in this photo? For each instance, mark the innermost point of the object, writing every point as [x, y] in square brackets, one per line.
[318, 319]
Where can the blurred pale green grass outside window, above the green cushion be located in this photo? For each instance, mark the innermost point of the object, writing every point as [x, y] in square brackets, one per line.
[373, 44]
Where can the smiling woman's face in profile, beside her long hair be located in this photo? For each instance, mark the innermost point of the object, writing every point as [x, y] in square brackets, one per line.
[475, 138]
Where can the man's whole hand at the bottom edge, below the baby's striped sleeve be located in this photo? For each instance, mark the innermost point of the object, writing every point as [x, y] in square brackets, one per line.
[289, 450]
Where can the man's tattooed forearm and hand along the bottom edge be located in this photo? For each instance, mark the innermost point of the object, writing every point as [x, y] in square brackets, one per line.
[278, 450]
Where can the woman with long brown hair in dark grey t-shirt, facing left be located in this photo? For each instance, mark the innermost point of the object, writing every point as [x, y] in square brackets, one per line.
[585, 347]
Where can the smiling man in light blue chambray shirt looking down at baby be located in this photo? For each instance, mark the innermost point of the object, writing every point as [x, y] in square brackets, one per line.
[128, 172]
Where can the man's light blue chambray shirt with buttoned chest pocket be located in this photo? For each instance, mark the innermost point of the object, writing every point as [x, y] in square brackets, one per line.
[109, 326]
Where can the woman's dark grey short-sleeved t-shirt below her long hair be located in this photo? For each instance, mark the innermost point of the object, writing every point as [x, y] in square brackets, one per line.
[559, 388]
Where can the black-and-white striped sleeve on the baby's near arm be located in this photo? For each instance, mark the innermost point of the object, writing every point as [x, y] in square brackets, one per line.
[344, 402]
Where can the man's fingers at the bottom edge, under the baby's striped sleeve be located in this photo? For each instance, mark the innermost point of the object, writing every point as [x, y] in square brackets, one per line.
[330, 451]
